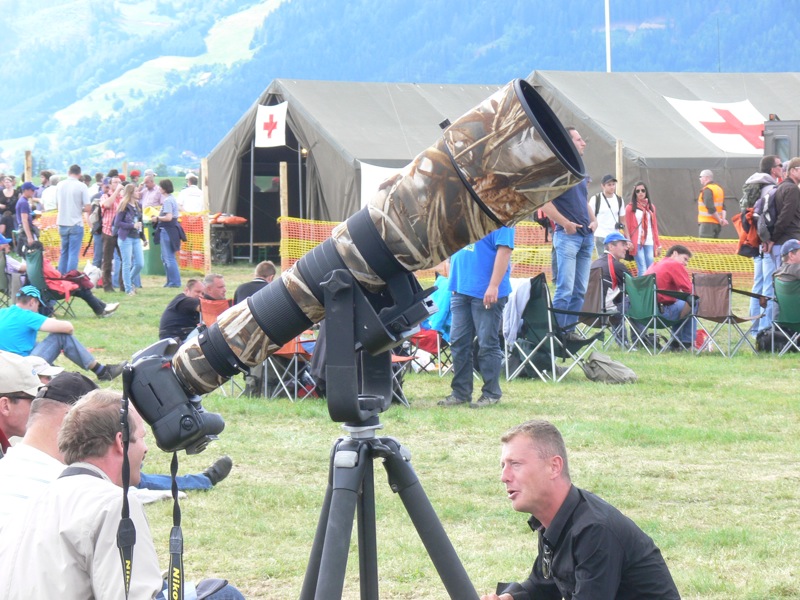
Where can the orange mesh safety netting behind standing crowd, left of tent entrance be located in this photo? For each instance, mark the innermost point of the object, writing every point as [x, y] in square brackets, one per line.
[192, 255]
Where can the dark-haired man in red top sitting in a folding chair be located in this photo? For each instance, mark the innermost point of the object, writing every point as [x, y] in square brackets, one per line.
[671, 274]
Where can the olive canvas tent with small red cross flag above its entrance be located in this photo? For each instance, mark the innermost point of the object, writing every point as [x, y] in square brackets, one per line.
[342, 124]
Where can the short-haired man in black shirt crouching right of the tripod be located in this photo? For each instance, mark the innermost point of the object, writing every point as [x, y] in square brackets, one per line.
[587, 548]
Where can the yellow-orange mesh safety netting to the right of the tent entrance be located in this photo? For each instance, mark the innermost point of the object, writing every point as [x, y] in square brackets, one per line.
[532, 254]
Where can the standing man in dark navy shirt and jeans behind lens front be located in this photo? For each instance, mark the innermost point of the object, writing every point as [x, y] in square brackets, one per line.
[573, 243]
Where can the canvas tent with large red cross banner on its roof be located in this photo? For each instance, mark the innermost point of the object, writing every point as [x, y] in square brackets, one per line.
[661, 146]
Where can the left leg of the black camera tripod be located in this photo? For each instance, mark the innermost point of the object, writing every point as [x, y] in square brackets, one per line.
[349, 465]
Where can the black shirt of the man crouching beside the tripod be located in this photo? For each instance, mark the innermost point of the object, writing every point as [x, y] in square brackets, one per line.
[595, 553]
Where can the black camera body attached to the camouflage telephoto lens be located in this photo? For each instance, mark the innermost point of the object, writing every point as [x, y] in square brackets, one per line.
[177, 418]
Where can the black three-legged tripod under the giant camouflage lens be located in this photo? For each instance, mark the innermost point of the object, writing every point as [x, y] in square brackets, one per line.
[351, 490]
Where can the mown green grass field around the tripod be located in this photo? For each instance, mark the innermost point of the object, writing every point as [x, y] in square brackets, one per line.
[702, 453]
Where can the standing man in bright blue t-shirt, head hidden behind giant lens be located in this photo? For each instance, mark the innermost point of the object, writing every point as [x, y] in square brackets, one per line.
[480, 285]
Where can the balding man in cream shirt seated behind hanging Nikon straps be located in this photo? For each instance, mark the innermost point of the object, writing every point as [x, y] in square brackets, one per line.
[64, 544]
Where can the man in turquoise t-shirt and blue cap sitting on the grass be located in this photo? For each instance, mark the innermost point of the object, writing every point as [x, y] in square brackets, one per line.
[21, 322]
